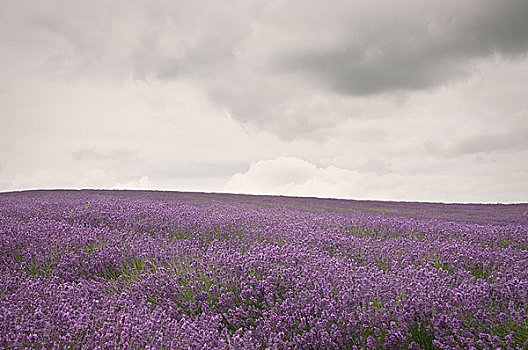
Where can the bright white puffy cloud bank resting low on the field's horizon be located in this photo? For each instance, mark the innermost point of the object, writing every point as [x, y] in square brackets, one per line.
[298, 177]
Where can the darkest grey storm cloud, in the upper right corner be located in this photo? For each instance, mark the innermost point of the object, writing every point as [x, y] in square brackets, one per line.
[405, 52]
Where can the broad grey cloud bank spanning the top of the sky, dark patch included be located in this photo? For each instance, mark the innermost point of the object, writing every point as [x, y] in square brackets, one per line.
[273, 65]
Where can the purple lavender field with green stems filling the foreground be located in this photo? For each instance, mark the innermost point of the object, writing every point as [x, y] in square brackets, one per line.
[172, 270]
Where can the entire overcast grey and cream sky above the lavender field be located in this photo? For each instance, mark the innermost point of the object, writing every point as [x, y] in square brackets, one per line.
[397, 100]
